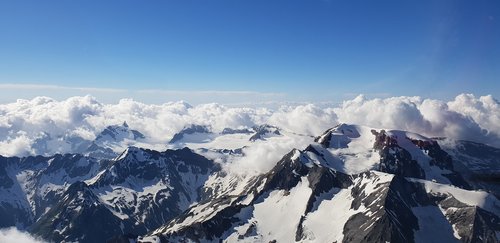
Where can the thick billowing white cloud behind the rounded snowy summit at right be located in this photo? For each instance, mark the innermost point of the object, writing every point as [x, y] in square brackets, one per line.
[466, 117]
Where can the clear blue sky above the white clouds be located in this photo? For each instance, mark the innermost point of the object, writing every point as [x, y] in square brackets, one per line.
[293, 50]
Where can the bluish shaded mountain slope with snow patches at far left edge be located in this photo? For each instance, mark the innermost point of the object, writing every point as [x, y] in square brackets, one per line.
[43, 180]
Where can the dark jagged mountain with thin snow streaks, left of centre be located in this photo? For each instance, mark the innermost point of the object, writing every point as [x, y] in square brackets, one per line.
[139, 191]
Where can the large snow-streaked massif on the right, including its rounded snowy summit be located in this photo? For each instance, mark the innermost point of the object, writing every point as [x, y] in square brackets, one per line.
[355, 185]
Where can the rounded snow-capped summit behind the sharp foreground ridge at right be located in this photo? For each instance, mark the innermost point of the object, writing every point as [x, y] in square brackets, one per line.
[353, 149]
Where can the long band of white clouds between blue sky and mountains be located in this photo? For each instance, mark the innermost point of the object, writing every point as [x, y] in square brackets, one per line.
[24, 121]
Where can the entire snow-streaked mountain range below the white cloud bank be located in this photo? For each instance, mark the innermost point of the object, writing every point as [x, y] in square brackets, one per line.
[350, 184]
